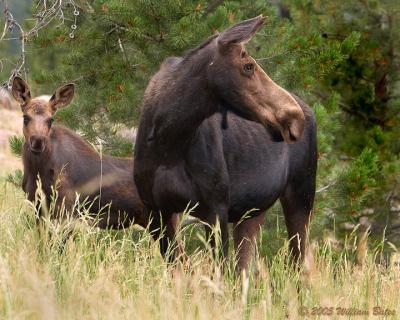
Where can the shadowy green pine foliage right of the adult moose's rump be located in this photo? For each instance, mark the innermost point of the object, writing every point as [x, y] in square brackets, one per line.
[358, 142]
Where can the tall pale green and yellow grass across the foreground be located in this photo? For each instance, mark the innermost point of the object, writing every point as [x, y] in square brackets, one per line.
[120, 275]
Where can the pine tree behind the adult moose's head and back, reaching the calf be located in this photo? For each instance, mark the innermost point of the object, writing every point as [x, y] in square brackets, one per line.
[118, 45]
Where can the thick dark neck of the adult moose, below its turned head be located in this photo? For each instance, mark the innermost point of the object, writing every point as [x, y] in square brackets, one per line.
[185, 104]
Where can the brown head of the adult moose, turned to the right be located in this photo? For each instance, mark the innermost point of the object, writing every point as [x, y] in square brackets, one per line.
[241, 82]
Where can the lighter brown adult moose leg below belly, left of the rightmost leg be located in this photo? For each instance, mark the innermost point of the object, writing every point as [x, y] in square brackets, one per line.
[245, 234]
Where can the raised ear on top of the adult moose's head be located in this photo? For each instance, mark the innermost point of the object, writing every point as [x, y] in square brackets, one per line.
[241, 32]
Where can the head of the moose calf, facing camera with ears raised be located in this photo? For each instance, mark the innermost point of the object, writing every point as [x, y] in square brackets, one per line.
[38, 112]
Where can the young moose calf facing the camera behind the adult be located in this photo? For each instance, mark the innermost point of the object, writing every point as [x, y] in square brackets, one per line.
[66, 163]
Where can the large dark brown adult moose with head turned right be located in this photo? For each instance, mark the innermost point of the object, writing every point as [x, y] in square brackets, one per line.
[215, 129]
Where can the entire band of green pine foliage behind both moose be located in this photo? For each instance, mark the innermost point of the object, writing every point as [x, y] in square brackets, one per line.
[340, 57]
